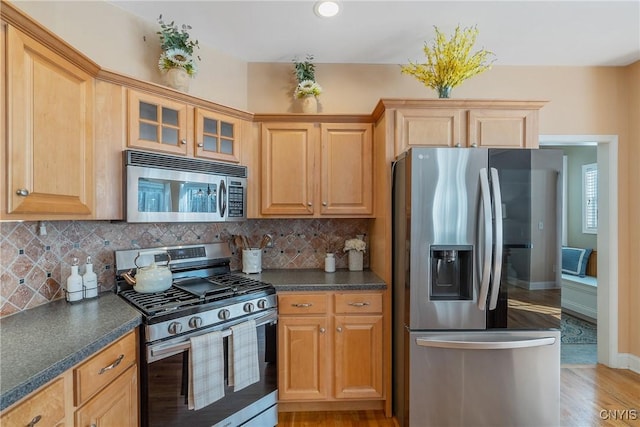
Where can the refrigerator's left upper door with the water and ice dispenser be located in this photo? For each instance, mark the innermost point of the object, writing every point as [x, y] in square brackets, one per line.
[445, 237]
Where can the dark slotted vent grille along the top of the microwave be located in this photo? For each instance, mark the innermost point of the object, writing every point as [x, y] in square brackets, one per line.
[163, 161]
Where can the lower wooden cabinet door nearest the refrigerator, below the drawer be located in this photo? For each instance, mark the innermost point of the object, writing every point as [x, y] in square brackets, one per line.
[358, 357]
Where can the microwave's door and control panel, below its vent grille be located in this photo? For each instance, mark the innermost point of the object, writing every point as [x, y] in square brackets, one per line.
[162, 195]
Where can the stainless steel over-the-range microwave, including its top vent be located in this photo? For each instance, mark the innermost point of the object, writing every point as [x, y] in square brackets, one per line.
[166, 188]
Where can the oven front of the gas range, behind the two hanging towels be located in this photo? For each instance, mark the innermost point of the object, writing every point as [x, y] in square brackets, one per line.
[165, 384]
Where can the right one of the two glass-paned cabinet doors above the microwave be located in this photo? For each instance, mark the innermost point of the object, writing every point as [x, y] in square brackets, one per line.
[217, 136]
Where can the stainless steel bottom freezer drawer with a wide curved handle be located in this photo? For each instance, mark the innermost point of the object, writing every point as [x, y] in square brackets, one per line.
[493, 378]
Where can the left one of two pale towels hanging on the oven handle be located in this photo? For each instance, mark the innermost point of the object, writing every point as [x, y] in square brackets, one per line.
[206, 370]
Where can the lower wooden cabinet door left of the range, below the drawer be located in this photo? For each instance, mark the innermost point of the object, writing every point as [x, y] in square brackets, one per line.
[115, 406]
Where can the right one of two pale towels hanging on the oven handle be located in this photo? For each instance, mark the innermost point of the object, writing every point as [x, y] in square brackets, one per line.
[243, 355]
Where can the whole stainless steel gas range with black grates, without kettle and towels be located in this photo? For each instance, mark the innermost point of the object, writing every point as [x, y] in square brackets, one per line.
[205, 296]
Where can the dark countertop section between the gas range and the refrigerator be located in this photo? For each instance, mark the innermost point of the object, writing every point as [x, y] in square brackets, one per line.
[318, 280]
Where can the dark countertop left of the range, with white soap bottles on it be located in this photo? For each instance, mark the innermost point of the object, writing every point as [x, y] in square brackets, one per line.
[38, 344]
